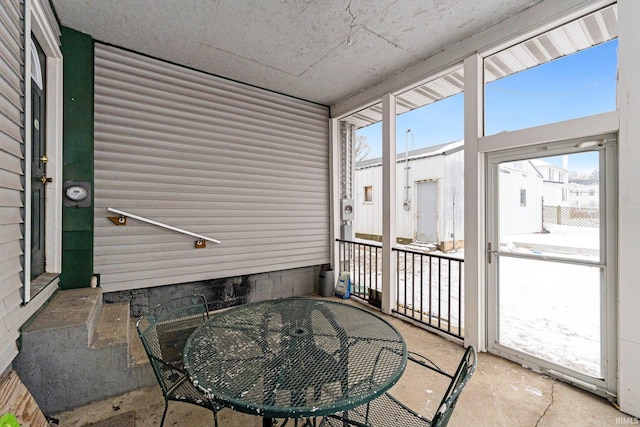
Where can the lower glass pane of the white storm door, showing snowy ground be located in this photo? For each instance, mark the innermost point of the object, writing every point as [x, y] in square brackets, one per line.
[552, 311]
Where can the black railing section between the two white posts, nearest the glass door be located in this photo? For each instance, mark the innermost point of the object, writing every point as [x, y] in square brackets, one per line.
[429, 290]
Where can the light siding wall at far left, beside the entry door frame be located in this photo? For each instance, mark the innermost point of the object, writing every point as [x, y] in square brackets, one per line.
[11, 172]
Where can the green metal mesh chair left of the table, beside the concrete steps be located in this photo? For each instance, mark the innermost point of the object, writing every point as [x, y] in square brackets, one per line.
[164, 331]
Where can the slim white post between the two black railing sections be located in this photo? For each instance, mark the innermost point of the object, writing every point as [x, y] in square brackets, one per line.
[388, 202]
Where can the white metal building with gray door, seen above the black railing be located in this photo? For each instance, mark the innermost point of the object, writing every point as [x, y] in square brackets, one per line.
[429, 196]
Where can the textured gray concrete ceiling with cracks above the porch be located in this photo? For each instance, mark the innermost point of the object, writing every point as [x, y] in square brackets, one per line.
[319, 50]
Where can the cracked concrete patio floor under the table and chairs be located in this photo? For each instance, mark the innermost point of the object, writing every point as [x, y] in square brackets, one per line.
[501, 393]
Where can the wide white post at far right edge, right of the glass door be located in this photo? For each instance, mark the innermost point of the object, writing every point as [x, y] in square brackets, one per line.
[629, 206]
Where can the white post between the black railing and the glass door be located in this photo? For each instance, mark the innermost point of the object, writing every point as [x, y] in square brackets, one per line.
[474, 182]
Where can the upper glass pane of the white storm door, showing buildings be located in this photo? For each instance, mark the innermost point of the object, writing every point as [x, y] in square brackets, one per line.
[543, 216]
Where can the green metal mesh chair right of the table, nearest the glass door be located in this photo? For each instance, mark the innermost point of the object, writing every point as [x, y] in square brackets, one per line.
[387, 411]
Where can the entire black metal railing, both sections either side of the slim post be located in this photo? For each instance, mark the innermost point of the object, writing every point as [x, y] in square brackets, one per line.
[429, 287]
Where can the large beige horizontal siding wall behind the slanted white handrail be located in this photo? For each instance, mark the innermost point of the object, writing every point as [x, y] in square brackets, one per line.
[222, 159]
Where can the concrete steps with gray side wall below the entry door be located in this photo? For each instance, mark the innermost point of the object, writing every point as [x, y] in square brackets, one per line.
[76, 351]
